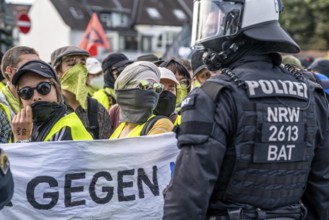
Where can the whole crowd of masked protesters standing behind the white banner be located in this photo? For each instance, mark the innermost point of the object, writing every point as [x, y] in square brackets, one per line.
[78, 97]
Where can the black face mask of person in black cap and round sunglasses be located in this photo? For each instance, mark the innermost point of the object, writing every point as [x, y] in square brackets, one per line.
[44, 111]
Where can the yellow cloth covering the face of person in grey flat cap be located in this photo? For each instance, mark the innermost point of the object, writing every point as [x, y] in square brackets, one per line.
[74, 81]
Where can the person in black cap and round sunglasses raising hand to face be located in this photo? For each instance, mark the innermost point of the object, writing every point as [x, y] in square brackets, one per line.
[43, 117]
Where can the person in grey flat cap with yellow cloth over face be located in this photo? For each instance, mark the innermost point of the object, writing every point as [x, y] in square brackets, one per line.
[69, 63]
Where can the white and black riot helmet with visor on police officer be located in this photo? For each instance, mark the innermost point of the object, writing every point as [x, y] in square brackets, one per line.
[215, 22]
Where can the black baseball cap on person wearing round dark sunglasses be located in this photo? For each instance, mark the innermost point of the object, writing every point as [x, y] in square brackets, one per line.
[36, 66]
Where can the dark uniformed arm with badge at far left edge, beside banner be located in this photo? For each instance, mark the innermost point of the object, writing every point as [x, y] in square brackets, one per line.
[6, 181]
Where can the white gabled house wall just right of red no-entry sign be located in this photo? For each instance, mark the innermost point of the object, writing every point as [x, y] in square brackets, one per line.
[48, 30]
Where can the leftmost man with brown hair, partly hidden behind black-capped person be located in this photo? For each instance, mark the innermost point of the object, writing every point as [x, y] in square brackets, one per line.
[13, 59]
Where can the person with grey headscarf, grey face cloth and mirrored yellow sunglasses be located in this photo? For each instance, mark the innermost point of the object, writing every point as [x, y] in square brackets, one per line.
[137, 90]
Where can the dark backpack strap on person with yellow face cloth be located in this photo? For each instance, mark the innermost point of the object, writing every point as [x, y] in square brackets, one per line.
[92, 111]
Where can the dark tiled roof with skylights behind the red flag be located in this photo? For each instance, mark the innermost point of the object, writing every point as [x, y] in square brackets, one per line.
[77, 13]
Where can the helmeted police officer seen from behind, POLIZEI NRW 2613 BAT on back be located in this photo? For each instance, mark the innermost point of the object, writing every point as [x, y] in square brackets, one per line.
[254, 140]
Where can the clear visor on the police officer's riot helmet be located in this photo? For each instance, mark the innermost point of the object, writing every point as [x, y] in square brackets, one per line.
[214, 19]
